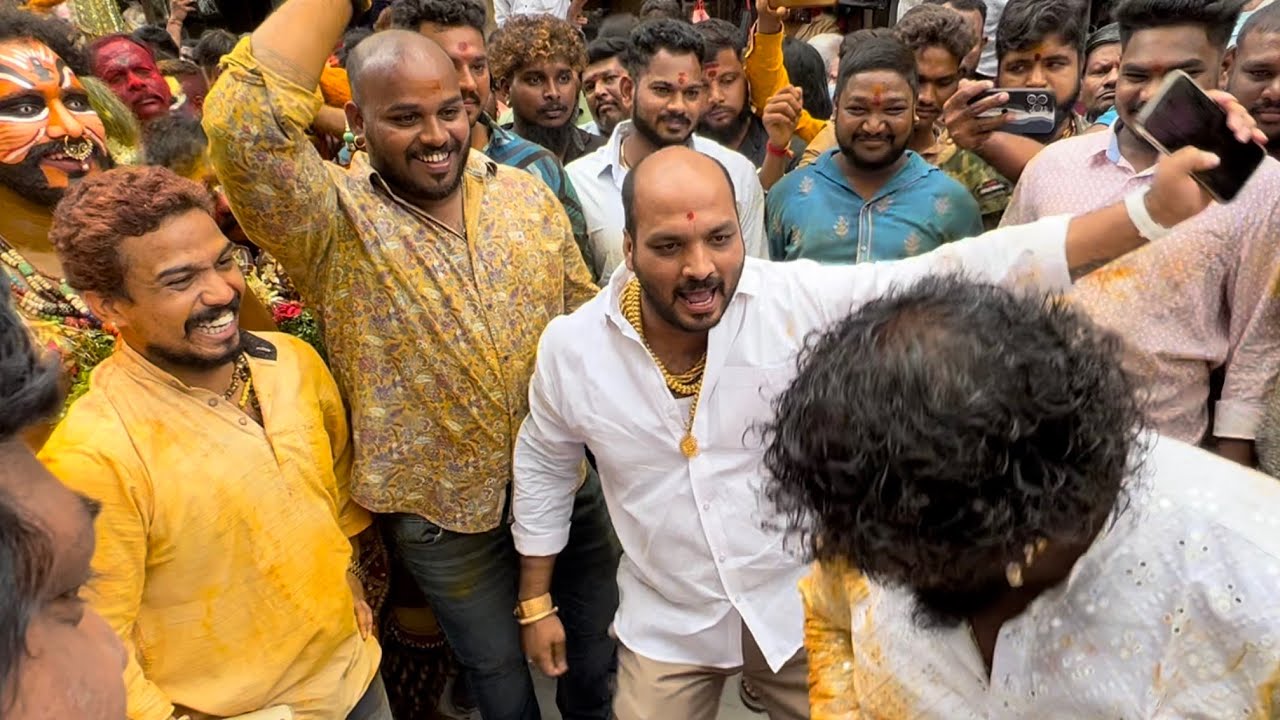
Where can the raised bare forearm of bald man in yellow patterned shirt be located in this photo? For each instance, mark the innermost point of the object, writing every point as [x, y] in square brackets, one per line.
[301, 35]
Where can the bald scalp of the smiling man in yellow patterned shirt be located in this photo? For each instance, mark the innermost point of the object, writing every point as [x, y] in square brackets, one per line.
[383, 56]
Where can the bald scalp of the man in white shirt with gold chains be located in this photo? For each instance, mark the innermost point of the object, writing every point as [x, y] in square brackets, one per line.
[674, 179]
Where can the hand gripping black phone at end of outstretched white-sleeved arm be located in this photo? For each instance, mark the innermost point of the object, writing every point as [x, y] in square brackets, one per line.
[1177, 197]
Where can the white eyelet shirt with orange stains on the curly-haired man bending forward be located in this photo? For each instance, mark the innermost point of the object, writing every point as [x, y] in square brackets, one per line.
[1172, 614]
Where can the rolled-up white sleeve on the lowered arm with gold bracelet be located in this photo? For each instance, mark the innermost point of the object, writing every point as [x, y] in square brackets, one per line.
[548, 461]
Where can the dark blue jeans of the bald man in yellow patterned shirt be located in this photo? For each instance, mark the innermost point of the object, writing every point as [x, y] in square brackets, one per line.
[472, 584]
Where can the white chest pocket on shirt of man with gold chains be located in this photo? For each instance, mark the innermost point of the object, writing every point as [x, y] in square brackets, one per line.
[744, 404]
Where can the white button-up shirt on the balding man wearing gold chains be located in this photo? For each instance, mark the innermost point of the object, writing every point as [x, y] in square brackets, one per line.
[703, 549]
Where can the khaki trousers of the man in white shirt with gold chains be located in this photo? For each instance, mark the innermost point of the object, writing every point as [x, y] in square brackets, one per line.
[650, 690]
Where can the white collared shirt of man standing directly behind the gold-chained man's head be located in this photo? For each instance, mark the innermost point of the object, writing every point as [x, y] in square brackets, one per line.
[598, 181]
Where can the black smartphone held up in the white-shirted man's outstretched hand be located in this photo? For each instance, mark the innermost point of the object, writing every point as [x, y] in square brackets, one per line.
[1182, 115]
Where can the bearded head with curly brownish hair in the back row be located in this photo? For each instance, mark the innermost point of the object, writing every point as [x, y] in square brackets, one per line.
[538, 62]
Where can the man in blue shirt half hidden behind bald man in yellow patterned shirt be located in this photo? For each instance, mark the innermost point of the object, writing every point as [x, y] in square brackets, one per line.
[458, 26]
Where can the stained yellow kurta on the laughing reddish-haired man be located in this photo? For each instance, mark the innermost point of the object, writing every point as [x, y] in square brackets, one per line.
[223, 546]
